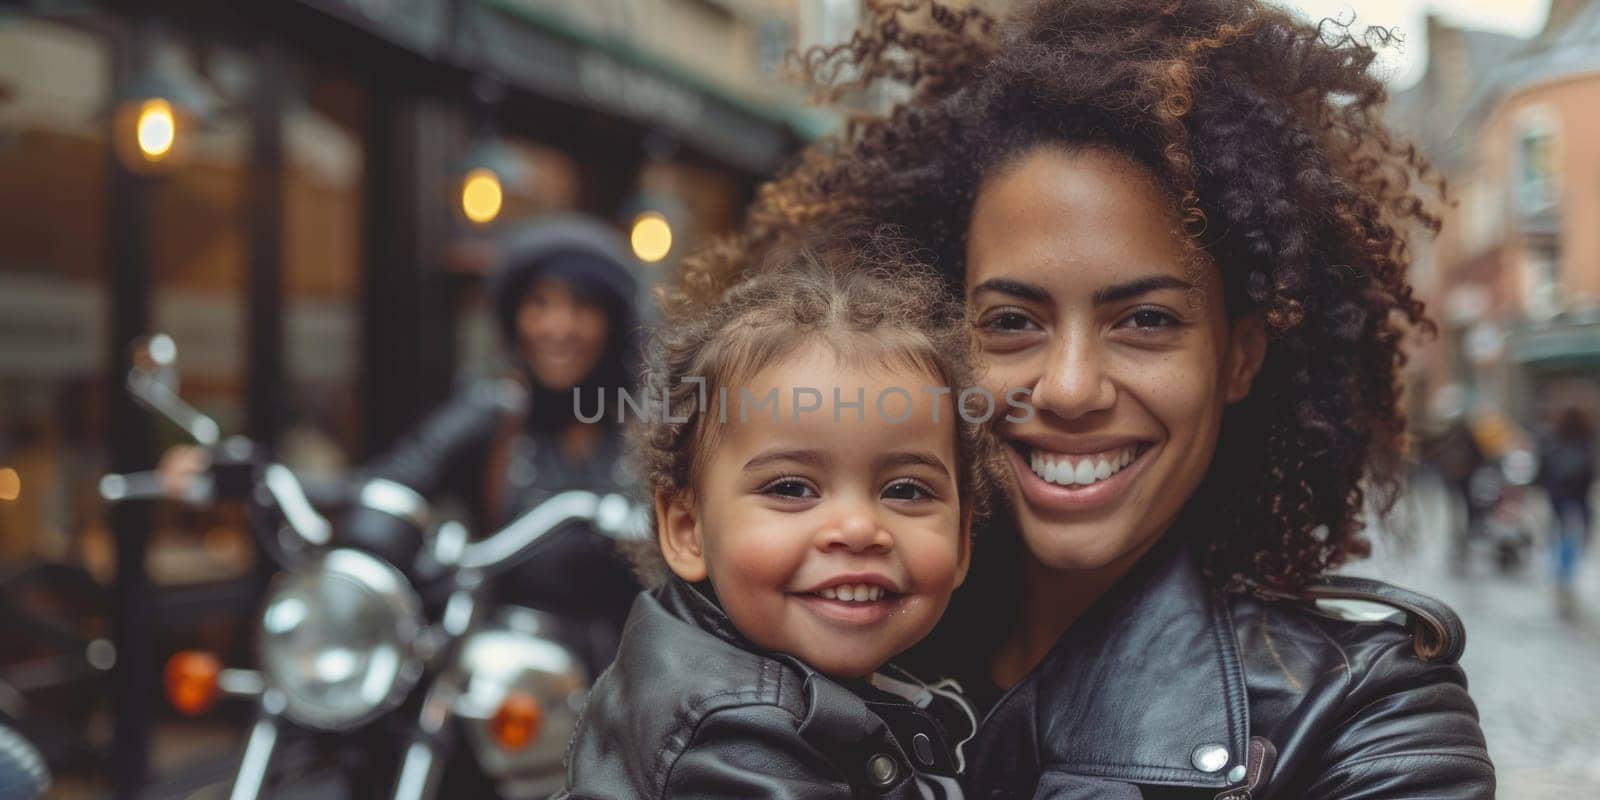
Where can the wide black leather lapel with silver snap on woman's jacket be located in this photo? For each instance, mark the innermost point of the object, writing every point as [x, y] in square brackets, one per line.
[1148, 687]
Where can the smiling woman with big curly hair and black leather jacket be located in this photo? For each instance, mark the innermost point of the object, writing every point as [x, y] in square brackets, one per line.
[1183, 228]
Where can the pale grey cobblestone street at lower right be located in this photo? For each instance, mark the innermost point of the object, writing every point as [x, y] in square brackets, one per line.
[1535, 678]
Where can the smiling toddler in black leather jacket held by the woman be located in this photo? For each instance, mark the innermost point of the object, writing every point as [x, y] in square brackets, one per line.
[815, 489]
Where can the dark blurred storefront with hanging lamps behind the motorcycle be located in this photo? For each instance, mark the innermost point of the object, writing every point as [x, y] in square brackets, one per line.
[295, 228]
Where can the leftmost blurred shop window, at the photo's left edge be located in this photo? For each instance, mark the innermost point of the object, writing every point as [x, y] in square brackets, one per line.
[54, 185]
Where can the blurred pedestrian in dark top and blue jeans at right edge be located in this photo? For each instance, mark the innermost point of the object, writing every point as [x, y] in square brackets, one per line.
[1567, 471]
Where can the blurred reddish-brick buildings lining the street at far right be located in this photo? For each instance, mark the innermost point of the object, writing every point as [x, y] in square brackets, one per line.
[1514, 278]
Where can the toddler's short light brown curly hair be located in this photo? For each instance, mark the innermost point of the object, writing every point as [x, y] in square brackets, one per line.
[863, 295]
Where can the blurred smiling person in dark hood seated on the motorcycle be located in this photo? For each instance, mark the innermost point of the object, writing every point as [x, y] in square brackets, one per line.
[566, 305]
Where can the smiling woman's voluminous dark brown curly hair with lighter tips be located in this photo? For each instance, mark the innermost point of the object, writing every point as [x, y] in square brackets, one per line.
[1266, 135]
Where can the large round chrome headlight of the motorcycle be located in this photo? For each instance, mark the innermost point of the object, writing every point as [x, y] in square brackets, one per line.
[337, 639]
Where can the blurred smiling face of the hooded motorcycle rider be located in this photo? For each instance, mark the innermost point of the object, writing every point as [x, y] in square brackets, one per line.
[562, 334]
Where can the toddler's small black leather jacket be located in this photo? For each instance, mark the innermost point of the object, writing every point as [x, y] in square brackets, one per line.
[690, 710]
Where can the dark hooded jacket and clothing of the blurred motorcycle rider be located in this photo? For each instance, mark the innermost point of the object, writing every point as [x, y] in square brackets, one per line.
[494, 446]
